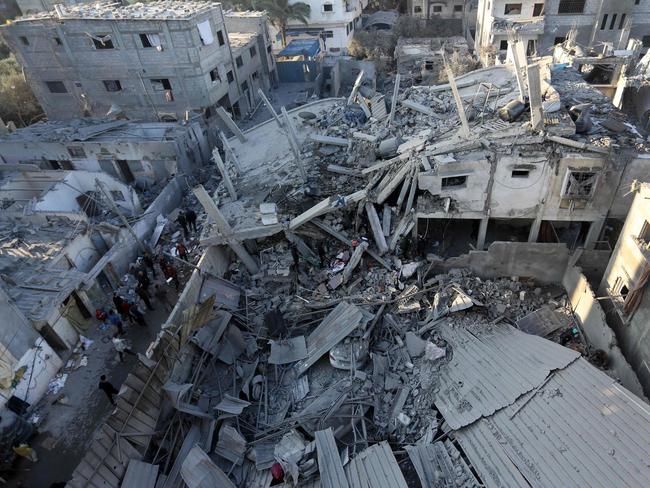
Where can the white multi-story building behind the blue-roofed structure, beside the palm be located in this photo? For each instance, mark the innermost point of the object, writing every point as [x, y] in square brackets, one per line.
[333, 21]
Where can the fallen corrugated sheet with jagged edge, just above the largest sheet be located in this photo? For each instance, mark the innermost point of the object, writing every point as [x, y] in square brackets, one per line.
[492, 367]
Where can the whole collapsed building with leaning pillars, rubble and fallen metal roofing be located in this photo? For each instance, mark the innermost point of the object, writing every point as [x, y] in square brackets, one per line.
[326, 340]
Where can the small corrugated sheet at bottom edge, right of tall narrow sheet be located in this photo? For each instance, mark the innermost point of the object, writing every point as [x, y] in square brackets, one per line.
[376, 467]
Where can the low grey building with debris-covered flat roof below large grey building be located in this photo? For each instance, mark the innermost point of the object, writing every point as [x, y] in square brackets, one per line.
[141, 153]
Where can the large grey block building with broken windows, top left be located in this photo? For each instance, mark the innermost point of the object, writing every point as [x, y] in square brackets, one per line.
[149, 61]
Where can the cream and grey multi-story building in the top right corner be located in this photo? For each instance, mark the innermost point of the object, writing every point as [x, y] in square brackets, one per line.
[541, 24]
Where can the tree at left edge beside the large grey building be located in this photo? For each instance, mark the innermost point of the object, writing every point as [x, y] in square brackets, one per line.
[18, 102]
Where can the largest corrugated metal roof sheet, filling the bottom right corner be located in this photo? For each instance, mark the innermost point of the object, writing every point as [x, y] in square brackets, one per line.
[580, 429]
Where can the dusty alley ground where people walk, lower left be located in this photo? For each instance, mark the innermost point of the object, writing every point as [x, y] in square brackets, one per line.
[66, 430]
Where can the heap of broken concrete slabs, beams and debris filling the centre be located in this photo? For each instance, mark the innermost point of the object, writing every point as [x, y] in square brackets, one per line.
[334, 358]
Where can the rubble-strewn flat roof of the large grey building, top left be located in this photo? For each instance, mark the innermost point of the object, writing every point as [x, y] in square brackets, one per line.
[160, 10]
